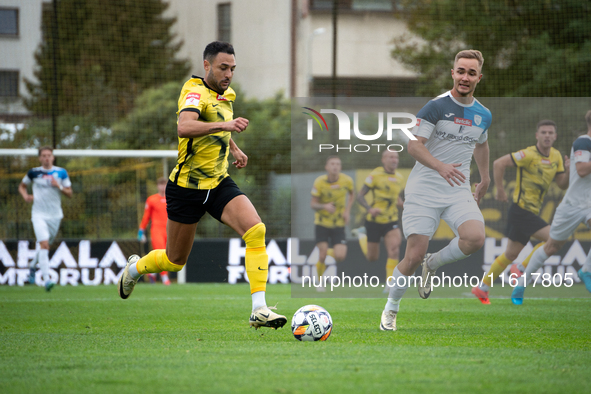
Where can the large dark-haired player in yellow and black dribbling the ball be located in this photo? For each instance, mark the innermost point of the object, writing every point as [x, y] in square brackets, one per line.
[200, 183]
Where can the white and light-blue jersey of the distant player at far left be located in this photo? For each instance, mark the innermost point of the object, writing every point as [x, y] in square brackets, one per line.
[47, 203]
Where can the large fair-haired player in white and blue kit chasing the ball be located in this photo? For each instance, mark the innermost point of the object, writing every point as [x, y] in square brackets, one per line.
[450, 129]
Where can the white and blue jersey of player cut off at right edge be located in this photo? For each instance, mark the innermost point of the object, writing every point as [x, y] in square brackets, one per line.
[578, 193]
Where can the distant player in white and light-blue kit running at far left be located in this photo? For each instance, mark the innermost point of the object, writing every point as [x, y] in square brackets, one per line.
[48, 183]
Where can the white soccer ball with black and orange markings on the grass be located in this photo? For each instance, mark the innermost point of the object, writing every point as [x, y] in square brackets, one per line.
[311, 323]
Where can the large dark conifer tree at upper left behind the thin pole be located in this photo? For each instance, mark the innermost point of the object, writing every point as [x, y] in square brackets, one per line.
[109, 51]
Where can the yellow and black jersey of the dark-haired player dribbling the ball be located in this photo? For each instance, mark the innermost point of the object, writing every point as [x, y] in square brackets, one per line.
[203, 161]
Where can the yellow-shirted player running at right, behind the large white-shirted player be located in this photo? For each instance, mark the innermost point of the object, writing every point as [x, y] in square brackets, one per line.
[537, 166]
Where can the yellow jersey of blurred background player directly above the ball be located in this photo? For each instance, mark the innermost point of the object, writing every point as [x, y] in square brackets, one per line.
[335, 192]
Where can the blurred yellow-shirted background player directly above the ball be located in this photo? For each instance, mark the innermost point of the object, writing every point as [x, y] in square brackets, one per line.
[332, 198]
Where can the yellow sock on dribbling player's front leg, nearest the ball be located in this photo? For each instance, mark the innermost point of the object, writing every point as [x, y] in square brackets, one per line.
[257, 260]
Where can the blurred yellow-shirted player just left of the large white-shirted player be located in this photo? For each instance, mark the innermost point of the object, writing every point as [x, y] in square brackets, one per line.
[381, 220]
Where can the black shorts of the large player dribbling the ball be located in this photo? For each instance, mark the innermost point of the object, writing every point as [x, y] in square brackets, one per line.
[188, 206]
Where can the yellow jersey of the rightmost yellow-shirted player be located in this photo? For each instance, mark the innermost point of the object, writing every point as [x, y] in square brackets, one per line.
[535, 172]
